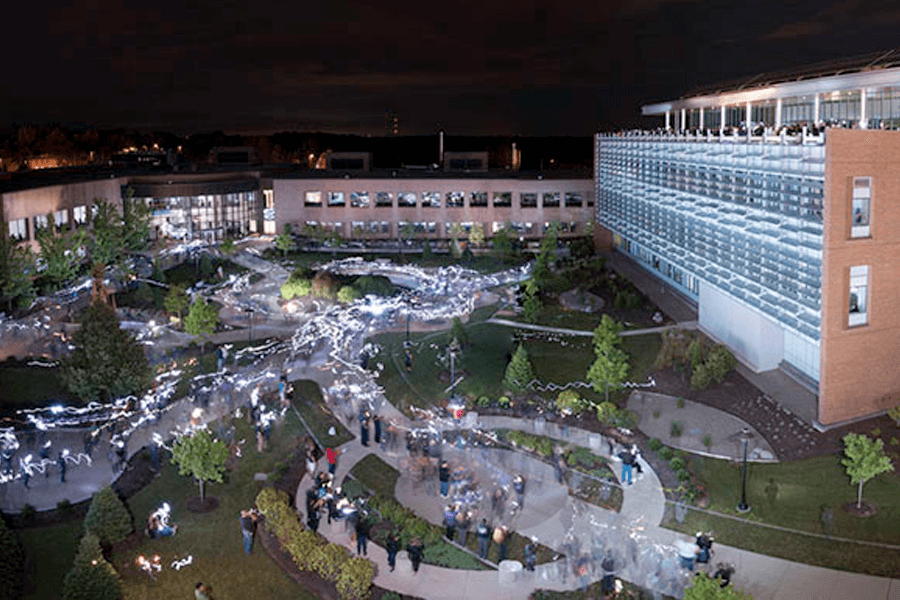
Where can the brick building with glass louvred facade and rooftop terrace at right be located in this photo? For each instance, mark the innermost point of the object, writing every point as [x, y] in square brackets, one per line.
[770, 205]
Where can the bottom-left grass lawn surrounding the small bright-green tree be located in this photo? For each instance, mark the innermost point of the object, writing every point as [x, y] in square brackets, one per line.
[212, 539]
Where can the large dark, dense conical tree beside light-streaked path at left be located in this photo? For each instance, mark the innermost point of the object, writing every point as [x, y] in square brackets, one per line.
[107, 361]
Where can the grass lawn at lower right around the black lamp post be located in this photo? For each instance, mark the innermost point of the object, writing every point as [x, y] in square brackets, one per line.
[794, 495]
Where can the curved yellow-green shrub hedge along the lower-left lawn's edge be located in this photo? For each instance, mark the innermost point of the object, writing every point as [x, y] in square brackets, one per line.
[352, 576]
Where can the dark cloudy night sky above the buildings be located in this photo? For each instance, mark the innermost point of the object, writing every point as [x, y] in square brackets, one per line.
[470, 67]
